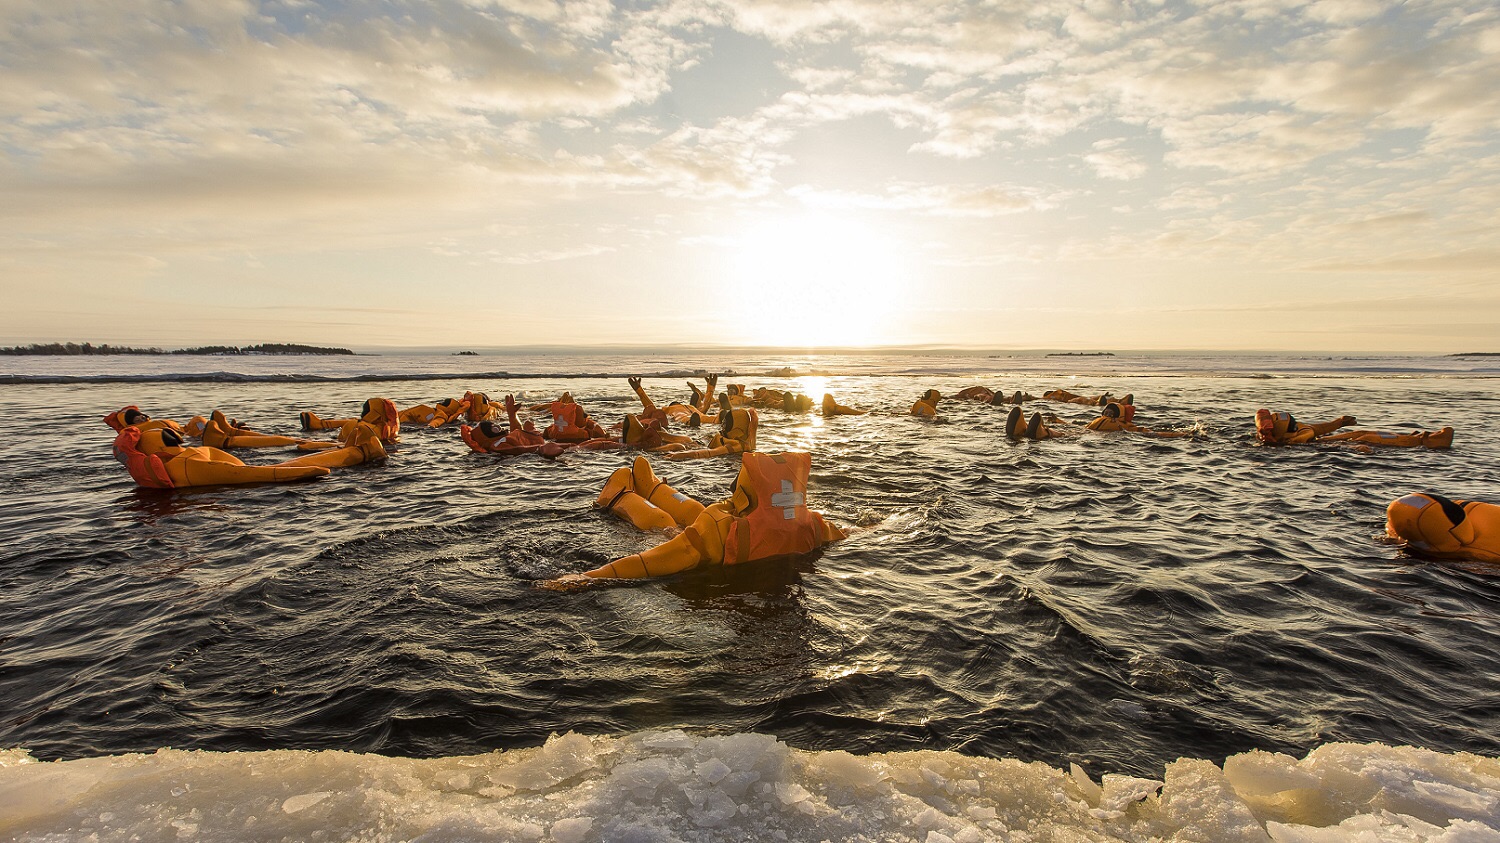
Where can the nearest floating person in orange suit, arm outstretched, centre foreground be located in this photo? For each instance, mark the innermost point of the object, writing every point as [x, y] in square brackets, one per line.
[766, 517]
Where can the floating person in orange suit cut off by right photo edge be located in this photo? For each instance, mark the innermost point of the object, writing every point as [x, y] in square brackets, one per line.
[1442, 529]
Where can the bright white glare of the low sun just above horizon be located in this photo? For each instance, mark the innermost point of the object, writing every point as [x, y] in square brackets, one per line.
[818, 281]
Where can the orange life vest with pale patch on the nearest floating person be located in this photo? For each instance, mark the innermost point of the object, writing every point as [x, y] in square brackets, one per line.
[770, 503]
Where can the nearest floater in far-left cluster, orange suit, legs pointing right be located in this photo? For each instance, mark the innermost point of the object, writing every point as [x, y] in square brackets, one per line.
[160, 460]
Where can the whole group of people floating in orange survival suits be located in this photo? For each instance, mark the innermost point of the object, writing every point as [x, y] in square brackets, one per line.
[766, 514]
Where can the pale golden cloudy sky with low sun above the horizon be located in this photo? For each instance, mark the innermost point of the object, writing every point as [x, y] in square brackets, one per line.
[1217, 175]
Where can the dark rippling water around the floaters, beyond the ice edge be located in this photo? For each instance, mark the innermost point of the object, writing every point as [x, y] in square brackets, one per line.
[1112, 601]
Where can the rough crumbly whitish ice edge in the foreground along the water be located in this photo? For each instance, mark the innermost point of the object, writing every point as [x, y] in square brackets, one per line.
[673, 787]
